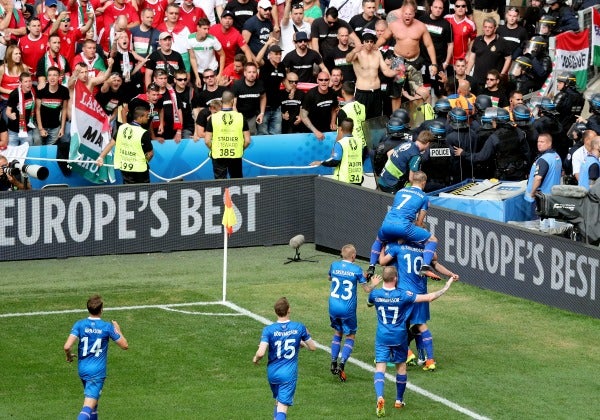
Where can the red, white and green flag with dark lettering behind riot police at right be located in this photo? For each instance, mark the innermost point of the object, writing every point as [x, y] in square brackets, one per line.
[573, 54]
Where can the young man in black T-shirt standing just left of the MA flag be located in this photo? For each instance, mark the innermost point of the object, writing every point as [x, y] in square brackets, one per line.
[51, 107]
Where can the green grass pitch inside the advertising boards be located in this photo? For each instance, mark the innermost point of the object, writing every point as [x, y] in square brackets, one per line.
[498, 356]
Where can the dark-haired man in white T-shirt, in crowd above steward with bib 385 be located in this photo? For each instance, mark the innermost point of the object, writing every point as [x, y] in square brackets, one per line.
[202, 48]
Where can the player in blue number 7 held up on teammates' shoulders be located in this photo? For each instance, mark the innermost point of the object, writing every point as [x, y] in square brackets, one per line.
[405, 221]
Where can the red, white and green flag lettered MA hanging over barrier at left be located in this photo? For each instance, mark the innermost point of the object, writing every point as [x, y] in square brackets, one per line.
[90, 133]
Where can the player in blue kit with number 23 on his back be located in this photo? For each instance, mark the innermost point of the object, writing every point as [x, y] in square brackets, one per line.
[344, 276]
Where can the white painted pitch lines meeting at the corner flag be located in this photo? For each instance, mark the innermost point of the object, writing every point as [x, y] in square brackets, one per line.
[264, 321]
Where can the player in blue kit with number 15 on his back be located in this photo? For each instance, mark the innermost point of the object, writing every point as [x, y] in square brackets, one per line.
[283, 340]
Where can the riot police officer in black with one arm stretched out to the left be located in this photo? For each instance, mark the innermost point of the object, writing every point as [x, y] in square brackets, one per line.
[507, 145]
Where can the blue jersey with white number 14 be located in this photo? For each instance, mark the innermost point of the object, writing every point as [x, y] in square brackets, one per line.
[93, 335]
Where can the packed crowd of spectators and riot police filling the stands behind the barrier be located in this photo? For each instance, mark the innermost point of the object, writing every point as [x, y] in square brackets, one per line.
[302, 67]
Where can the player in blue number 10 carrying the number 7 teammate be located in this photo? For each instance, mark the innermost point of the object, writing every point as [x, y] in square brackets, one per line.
[408, 258]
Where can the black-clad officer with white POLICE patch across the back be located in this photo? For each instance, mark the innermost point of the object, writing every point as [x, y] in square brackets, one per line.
[437, 161]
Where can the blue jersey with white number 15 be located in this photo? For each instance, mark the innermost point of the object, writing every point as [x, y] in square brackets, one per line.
[284, 342]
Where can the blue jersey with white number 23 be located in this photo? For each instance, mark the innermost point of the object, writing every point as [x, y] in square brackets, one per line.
[345, 277]
